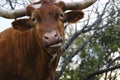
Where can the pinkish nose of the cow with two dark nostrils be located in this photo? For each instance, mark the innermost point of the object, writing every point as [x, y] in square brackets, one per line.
[52, 38]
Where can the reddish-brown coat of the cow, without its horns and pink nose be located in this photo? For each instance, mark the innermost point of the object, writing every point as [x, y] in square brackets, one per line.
[22, 52]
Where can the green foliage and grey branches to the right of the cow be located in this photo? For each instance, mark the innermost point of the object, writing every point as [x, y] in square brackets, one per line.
[99, 55]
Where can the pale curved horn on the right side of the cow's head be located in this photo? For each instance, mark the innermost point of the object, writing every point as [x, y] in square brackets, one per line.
[79, 5]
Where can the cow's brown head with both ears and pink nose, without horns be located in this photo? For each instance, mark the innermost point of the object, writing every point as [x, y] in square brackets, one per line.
[47, 22]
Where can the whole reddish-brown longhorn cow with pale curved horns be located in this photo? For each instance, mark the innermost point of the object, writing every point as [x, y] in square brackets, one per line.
[31, 48]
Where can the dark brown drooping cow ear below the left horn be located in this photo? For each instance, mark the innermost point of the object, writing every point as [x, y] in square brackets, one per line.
[22, 24]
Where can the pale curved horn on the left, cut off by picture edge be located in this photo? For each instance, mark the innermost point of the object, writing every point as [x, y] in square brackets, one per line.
[12, 14]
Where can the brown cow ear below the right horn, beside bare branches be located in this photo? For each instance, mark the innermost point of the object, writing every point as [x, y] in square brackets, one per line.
[73, 16]
